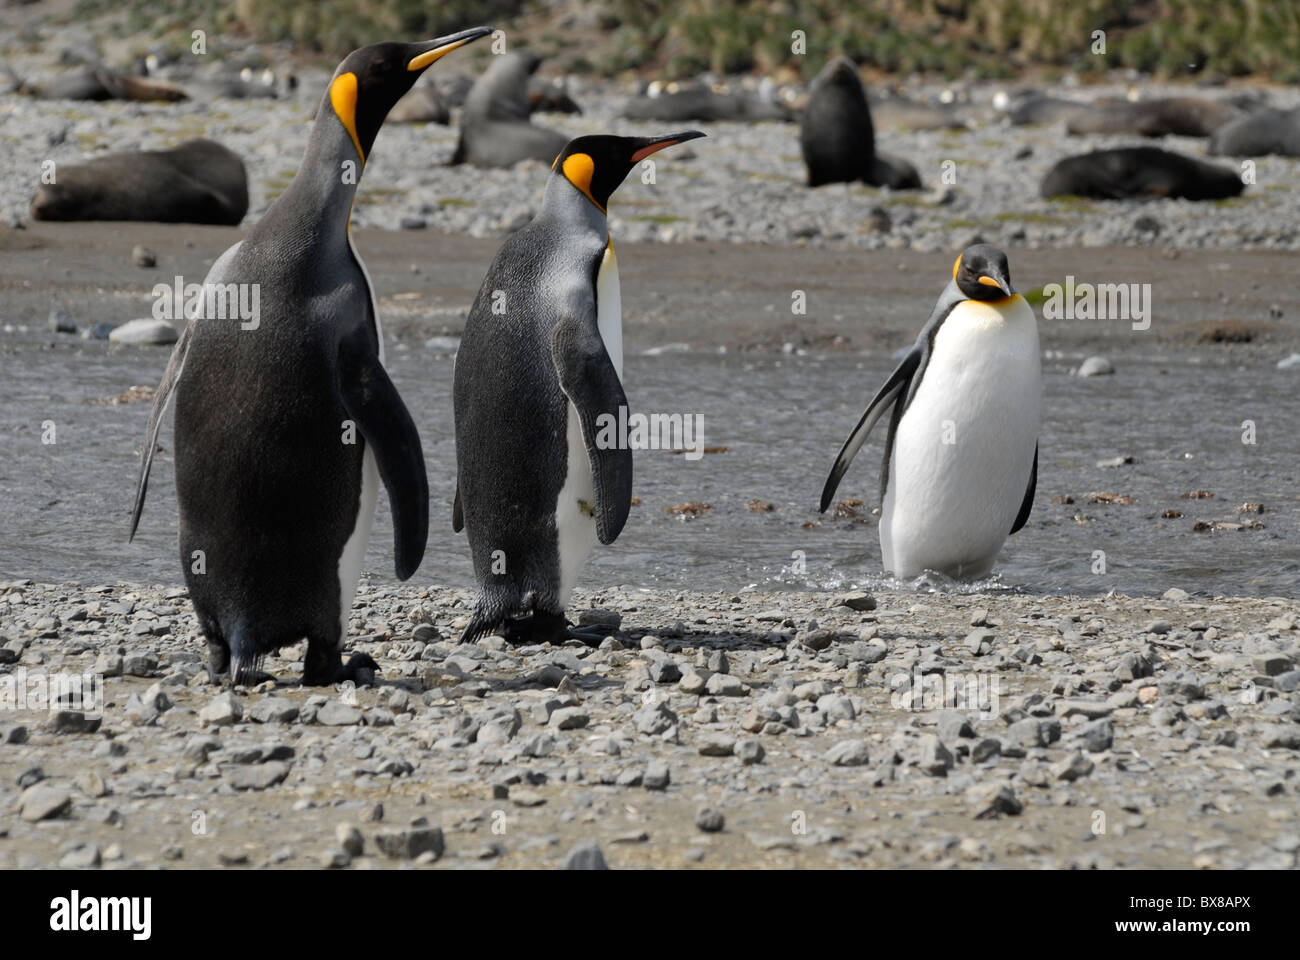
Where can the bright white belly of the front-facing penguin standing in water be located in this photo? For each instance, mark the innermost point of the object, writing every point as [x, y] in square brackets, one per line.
[965, 447]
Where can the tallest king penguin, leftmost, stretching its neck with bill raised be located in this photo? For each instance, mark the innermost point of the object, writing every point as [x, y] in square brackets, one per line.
[287, 423]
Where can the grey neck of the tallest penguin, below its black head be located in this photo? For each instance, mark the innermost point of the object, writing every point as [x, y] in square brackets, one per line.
[326, 185]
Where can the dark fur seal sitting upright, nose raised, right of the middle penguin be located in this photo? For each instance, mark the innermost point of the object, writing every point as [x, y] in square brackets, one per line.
[838, 139]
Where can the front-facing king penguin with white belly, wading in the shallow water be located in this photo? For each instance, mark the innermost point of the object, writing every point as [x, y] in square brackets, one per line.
[961, 456]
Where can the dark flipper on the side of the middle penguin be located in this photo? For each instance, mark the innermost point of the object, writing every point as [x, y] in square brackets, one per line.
[591, 383]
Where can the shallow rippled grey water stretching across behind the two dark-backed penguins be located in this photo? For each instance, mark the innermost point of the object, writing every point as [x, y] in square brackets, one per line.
[782, 418]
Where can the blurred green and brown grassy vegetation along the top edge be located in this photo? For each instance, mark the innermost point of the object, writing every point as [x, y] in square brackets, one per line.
[681, 38]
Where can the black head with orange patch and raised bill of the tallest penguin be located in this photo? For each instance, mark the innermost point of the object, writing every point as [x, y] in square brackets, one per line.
[374, 79]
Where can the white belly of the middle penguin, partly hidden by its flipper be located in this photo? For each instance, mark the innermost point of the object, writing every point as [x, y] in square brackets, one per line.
[575, 508]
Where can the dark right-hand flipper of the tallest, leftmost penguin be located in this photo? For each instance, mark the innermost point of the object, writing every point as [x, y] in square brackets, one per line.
[372, 401]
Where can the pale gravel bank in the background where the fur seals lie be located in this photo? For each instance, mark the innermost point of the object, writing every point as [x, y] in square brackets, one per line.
[746, 184]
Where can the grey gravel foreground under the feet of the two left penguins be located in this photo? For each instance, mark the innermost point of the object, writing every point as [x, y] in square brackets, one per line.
[1185, 740]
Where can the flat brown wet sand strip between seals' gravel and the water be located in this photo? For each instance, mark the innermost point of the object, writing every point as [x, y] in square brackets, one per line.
[703, 295]
